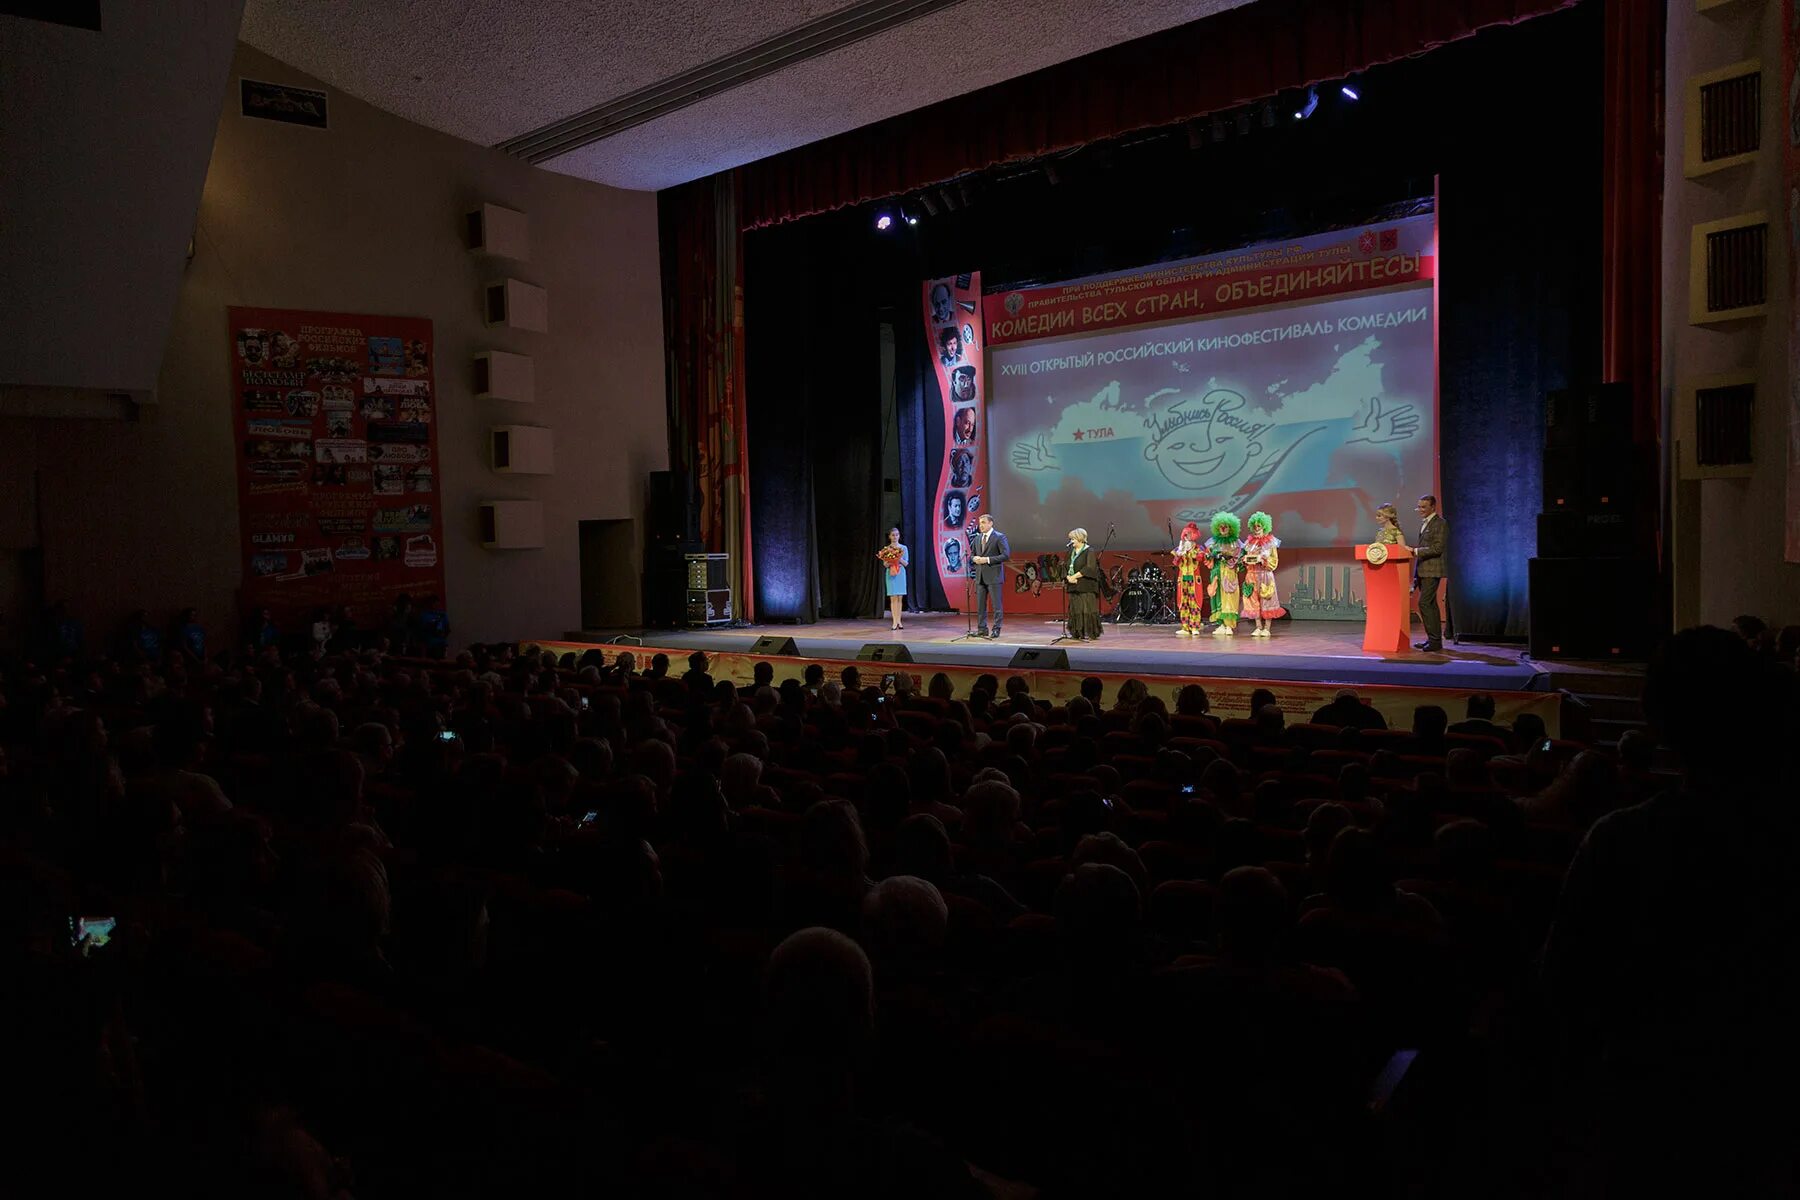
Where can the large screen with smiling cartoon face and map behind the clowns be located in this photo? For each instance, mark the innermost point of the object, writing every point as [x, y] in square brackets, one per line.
[1317, 409]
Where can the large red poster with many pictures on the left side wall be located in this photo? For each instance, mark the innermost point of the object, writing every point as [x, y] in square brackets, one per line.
[337, 461]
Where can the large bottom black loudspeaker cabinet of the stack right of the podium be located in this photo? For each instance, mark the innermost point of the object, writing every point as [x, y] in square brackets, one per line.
[1592, 609]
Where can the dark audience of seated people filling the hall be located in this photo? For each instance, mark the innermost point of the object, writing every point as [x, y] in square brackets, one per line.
[508, 926]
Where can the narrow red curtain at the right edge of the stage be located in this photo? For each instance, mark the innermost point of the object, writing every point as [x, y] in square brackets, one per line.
[1633, 213]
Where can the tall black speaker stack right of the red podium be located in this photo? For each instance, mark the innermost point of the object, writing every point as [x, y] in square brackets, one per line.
[1594, 582]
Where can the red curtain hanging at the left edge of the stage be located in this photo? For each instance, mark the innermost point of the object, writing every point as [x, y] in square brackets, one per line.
[703, 330]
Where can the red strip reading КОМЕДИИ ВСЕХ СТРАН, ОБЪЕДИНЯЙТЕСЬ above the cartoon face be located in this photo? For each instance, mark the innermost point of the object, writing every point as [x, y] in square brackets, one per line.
[1282, 274]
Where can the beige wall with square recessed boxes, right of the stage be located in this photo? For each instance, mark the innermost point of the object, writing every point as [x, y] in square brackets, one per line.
[1727, 533]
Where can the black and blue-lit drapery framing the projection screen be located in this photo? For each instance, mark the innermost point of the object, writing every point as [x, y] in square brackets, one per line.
[1509, 121]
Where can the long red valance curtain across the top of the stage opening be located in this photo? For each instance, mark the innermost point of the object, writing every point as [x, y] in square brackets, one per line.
[1198, 69]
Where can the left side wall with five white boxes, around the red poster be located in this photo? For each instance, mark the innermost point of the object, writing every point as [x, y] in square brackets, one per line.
[366, 219]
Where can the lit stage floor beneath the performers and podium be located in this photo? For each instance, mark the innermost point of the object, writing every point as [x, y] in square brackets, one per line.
[1317, 652]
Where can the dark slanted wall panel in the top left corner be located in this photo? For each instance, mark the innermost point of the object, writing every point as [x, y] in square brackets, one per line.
[103, 145]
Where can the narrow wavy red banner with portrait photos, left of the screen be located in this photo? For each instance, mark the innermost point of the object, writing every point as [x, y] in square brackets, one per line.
[955, 339]
